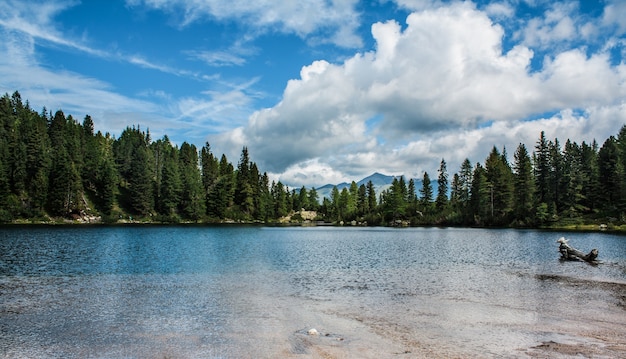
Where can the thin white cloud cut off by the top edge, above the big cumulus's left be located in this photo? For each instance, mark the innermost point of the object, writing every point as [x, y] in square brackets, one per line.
[334, 21]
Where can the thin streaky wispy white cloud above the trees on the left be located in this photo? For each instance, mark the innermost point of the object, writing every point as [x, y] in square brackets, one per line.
[25, 24]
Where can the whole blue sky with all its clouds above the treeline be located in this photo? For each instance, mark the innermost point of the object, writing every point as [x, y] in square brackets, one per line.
[327, 91]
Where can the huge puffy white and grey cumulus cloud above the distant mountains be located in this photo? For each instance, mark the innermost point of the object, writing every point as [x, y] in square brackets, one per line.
[442, 87]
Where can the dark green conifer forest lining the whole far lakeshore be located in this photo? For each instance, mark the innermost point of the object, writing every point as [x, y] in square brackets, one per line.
[57, 169]
